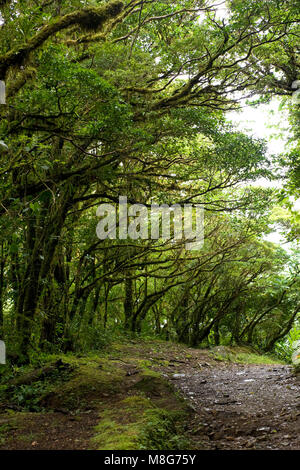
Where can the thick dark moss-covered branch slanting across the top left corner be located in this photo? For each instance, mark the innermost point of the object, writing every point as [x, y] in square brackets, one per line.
[87, 18]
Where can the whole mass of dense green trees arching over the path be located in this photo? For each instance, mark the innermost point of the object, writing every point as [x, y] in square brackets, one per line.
[110, 98]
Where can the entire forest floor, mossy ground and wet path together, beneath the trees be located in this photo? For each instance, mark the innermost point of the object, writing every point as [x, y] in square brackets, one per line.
[152, 395]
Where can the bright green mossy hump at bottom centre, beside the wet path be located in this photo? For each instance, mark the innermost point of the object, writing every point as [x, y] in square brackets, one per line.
[153, 418]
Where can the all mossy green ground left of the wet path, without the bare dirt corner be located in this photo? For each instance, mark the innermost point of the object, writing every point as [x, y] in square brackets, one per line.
[138, 408]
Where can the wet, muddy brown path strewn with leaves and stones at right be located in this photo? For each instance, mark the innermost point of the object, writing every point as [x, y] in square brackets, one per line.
[243, 406]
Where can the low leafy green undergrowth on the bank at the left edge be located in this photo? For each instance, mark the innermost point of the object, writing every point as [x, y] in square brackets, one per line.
[75, 385]
